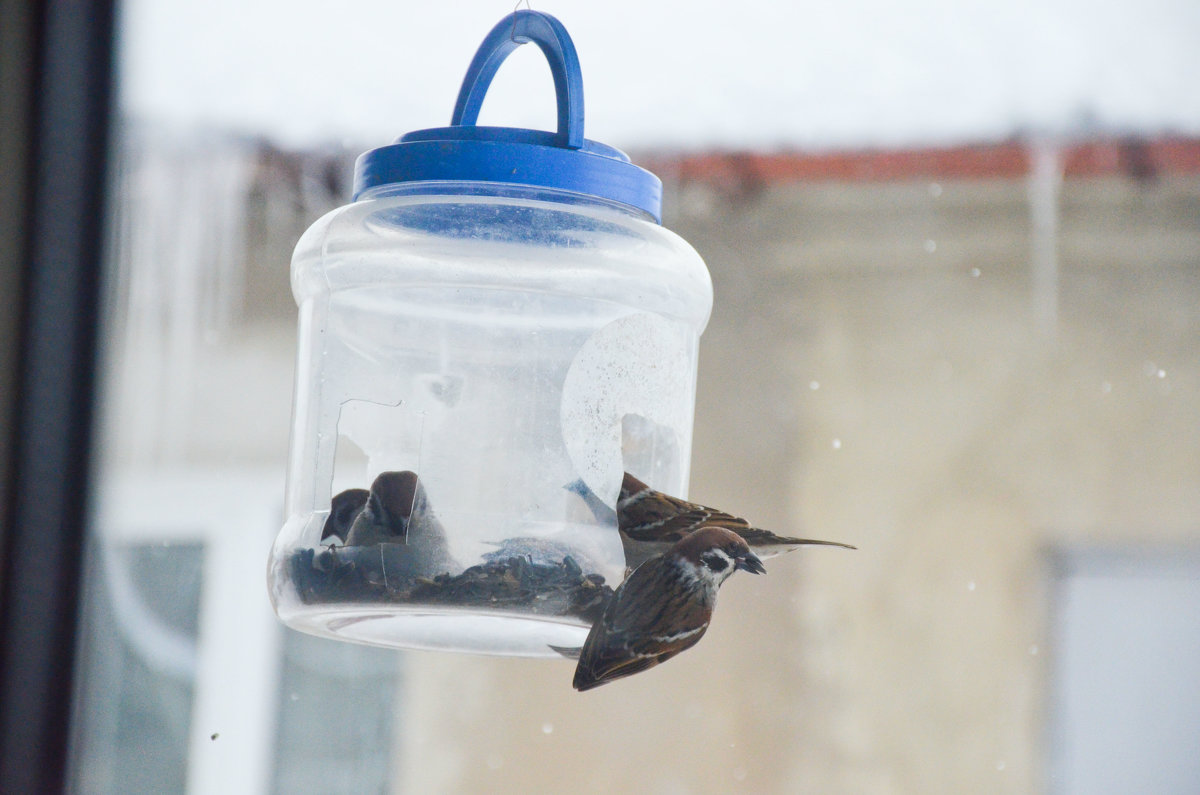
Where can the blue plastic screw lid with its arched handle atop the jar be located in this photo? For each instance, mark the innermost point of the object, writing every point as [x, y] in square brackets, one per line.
[562, 160]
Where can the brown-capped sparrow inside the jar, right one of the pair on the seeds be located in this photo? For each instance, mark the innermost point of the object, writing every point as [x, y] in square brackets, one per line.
[398, 512]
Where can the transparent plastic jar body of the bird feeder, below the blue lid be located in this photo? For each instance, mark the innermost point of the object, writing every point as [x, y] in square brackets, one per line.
[483, 366]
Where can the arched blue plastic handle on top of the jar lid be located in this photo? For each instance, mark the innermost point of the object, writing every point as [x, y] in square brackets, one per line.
[553, 39]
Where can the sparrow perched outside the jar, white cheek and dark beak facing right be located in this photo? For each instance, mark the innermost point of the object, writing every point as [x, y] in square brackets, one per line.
[664, 607]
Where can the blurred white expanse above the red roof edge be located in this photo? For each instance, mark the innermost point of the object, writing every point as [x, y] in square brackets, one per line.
[688, 76]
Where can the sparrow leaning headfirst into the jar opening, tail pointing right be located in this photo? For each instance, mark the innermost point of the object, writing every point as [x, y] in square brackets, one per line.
[651, 522]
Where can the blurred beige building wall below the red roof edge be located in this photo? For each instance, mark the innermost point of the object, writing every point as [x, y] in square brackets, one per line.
[952, 435]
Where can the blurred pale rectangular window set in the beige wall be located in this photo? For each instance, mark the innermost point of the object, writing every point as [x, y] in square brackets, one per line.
[1127, 709]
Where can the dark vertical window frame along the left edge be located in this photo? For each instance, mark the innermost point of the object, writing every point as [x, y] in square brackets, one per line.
[58, 62]
